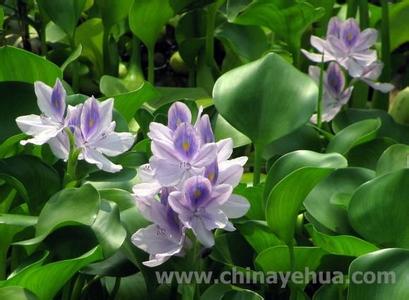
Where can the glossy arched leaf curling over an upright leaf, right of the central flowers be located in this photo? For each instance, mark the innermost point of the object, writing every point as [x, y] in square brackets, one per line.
[293, 161]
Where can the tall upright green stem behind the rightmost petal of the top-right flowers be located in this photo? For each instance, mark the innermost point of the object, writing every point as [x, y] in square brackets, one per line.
[381, 100]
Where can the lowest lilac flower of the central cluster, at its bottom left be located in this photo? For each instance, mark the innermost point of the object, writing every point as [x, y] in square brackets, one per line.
[165, 237]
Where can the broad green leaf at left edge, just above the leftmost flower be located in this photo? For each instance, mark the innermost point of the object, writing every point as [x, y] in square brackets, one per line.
[12, 60]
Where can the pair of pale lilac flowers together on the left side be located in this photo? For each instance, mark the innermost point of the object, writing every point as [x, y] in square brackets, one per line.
[91, 124]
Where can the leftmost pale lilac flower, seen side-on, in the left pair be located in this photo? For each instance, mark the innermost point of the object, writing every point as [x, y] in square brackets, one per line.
[50, 123]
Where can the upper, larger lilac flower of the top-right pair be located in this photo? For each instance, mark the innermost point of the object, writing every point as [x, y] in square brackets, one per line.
[346, 44]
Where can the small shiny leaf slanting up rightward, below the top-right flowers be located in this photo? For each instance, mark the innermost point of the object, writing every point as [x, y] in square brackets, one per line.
[354, 135]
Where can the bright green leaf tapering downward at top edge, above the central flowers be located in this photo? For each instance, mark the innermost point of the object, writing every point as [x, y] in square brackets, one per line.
[156, 13]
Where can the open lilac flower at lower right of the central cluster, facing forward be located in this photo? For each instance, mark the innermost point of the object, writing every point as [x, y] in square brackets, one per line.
[198, 205]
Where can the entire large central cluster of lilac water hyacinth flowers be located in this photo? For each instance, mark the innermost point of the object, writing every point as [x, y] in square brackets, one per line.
[197, 177]
